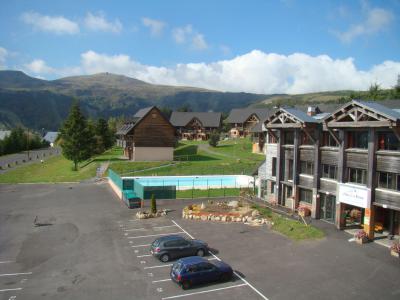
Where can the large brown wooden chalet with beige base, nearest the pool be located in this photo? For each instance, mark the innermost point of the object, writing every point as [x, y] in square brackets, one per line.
[148, 137]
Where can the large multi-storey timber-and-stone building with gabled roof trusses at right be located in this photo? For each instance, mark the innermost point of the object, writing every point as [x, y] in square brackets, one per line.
[343, 166]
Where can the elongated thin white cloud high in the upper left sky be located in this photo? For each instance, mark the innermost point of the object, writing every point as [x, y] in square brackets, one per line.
[53, 24]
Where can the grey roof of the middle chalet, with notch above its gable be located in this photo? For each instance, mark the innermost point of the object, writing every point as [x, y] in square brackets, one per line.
[207, 119]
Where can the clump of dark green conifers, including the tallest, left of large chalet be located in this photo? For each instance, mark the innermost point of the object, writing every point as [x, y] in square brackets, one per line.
[81, 138]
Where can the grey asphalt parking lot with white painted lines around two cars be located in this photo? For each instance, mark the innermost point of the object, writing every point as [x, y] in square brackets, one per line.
[90, 246]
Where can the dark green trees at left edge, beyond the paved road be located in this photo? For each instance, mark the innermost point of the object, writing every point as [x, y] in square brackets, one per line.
[21, 140]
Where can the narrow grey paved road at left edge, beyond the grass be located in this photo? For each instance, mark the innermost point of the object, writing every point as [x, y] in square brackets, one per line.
[8, 162]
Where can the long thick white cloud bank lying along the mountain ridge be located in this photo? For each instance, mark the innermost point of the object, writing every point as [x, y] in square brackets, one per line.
[256, 72]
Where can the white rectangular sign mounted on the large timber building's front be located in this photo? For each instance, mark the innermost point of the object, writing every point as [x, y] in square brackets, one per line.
[354, 195]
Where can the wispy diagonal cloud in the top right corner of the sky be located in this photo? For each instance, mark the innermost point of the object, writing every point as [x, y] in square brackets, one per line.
[376, 20]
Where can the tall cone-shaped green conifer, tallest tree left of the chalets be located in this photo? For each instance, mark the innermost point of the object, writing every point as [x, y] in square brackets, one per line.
[76, 137]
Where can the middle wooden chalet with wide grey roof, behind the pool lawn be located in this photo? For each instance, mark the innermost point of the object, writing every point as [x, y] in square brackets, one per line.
[196, 125]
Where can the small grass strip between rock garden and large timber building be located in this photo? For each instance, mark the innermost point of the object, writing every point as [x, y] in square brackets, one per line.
[293, 229]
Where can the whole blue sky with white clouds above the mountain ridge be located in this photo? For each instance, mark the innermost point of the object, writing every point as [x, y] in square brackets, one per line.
[266, 47]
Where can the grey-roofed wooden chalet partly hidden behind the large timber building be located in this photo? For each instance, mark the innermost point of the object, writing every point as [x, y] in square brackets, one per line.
[244, 119]
